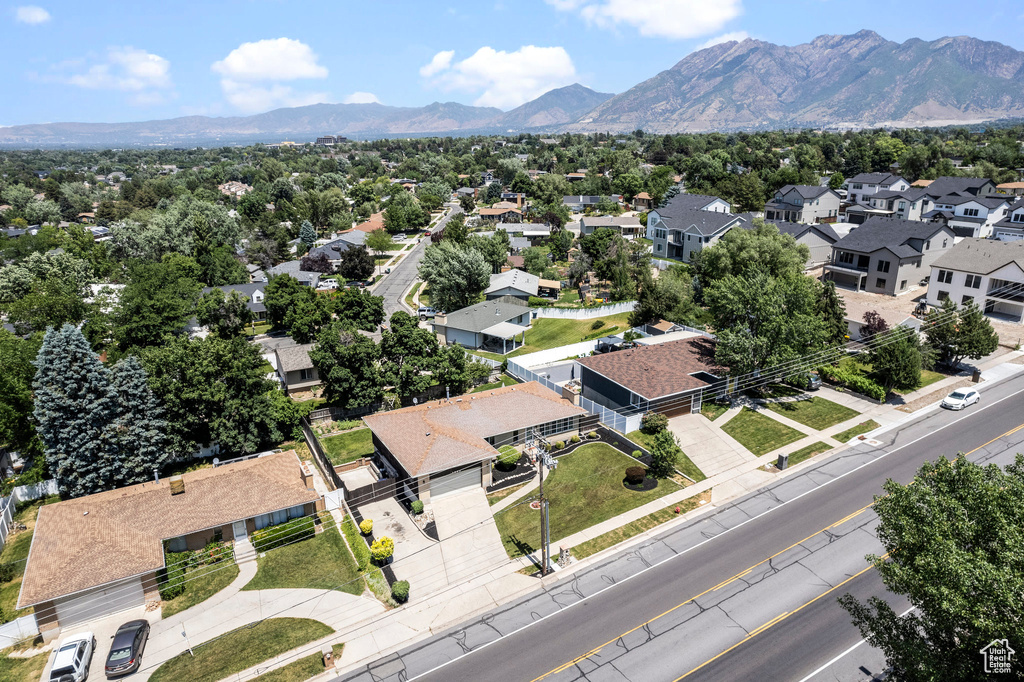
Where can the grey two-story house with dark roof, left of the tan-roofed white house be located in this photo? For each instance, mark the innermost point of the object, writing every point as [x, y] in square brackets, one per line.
[887, 255]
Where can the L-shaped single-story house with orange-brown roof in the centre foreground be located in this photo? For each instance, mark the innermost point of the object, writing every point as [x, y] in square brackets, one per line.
[449, 446]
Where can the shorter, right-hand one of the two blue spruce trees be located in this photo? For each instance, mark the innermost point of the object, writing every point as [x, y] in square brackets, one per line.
[139, 429]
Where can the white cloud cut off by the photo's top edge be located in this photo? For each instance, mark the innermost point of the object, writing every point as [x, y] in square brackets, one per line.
[663, 19]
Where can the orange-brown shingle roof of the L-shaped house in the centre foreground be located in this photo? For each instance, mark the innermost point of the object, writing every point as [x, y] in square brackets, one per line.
[443, 435]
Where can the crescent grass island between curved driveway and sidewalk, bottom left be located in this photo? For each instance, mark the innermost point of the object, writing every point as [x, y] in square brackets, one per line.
[240, 650]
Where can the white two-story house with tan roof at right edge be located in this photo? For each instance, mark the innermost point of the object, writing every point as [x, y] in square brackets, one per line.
[990, 273]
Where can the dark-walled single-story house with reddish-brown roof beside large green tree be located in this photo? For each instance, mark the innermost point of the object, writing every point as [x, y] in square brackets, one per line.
[668, 378]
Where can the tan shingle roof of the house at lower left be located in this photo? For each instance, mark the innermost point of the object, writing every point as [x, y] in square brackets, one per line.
[99, 539]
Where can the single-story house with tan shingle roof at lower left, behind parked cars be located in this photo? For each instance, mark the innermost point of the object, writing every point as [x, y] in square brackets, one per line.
[100, 555]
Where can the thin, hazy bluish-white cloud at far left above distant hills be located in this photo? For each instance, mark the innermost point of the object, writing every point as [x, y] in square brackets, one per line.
[146, 75]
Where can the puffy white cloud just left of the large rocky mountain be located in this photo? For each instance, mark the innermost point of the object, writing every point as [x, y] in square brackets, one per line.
[504, 79]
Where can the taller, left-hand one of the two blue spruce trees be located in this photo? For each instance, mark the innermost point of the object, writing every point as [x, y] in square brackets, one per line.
[74, 404]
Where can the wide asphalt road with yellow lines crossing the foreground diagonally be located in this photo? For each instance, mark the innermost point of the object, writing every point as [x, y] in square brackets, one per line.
[755, 588]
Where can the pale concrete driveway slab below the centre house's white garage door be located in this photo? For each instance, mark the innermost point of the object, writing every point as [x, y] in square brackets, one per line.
[471, 542]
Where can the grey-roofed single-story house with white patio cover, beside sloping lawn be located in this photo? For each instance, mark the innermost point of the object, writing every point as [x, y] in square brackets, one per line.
[496, 325]
